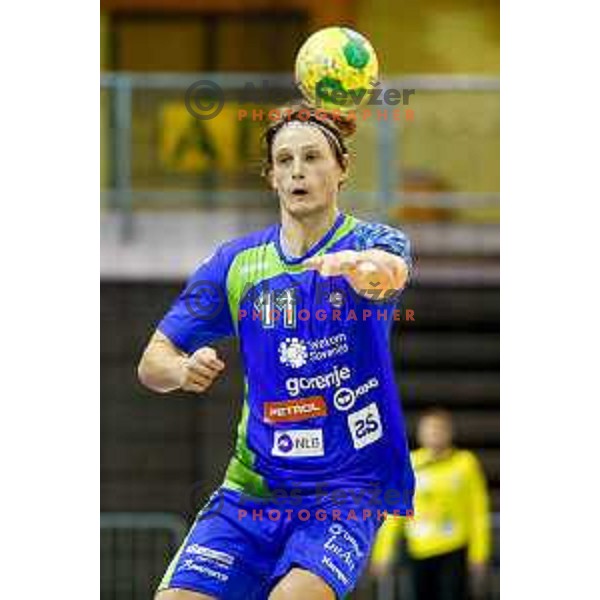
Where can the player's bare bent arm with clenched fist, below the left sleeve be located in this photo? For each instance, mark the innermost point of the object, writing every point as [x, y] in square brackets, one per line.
[164, 367]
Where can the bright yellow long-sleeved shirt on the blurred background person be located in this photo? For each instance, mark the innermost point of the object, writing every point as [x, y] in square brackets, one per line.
[451, 510]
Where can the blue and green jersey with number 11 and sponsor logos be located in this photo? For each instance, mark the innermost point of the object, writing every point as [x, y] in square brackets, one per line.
[320, 408]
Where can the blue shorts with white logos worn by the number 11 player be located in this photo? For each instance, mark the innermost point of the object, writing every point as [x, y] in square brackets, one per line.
[239, 547]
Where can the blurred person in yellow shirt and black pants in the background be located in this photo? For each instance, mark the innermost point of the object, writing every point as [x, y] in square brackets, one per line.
[448, 540]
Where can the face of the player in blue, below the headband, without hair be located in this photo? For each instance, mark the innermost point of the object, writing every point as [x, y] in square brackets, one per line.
[305, 173]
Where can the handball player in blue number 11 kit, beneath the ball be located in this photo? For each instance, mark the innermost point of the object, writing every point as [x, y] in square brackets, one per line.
[297, 434]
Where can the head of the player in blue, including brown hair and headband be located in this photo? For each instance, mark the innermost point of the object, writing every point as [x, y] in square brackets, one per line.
[307, 158]
